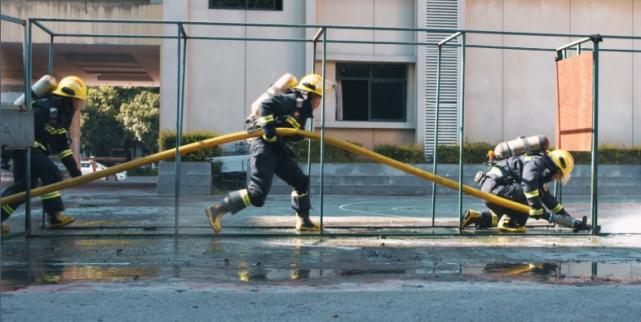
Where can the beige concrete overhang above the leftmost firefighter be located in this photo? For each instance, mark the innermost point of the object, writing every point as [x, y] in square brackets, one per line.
[98, 61]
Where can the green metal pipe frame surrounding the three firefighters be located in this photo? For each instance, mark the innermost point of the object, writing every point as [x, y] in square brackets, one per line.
[182, 38]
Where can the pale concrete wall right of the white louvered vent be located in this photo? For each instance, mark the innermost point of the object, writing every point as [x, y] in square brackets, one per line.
[511, 93]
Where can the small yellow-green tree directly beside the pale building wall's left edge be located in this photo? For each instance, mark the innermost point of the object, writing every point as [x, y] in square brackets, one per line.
[140, 118]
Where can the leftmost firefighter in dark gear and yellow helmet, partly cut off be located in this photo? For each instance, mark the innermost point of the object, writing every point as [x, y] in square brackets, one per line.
[52, 118]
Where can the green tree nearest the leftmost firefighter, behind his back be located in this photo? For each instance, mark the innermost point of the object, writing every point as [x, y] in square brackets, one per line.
[101, 131]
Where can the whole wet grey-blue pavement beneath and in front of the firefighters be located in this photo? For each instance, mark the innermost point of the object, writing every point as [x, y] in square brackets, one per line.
[121, 262]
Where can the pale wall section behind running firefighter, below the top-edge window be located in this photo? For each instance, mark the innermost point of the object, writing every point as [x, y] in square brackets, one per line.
[224, 77]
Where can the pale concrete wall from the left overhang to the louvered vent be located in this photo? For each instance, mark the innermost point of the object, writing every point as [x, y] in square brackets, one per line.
[224, 77]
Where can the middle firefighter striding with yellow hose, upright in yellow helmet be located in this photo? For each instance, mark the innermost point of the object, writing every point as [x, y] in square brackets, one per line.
[271, 155]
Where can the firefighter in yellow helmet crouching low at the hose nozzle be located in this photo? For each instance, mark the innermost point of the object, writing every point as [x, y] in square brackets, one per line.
[523, 179]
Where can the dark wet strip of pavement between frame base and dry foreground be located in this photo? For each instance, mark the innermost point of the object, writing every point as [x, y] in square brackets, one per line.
[304, 260]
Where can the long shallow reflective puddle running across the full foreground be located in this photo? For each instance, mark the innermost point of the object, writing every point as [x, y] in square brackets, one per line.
[16, 276]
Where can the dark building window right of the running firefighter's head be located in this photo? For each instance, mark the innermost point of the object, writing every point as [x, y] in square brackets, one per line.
[371, 92]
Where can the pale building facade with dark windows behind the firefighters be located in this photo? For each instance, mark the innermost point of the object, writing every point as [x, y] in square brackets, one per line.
[379, 93]
